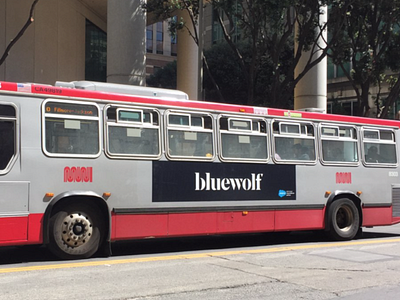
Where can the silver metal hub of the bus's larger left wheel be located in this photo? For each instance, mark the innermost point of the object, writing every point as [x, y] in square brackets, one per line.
[76, 230]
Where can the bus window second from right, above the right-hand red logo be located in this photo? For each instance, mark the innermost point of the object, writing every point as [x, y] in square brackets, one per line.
[339, 144]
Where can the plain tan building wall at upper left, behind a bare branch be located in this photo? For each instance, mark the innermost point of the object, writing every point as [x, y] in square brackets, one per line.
[53, 46]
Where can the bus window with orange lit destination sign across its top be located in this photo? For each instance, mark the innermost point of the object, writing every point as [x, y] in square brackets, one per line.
[71, 129]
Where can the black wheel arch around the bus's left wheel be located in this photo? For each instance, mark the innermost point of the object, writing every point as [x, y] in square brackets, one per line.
[58, 203]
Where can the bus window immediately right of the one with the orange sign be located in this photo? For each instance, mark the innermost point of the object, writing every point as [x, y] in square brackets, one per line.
[132, 133]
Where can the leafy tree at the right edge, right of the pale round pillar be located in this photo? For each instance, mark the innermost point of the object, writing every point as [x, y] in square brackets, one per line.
[370, 43]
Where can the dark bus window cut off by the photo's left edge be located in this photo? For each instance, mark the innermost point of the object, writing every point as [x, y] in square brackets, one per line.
[7, 135]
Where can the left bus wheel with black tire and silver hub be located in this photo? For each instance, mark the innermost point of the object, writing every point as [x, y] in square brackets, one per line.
[75, 231]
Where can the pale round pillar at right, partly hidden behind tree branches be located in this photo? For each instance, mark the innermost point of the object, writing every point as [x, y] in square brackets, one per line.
[311, 91]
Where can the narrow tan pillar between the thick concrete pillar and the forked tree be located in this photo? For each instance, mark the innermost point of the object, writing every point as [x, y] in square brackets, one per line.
[188, 60]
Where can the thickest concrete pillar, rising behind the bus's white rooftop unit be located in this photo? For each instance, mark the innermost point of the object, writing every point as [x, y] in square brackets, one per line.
[126, 42]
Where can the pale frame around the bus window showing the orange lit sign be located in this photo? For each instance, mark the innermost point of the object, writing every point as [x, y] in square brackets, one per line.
[69, 117]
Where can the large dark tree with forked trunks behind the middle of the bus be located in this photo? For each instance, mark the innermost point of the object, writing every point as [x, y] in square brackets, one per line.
[268, 27]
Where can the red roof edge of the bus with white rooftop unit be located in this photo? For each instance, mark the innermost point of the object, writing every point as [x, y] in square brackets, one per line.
[171, 98]
